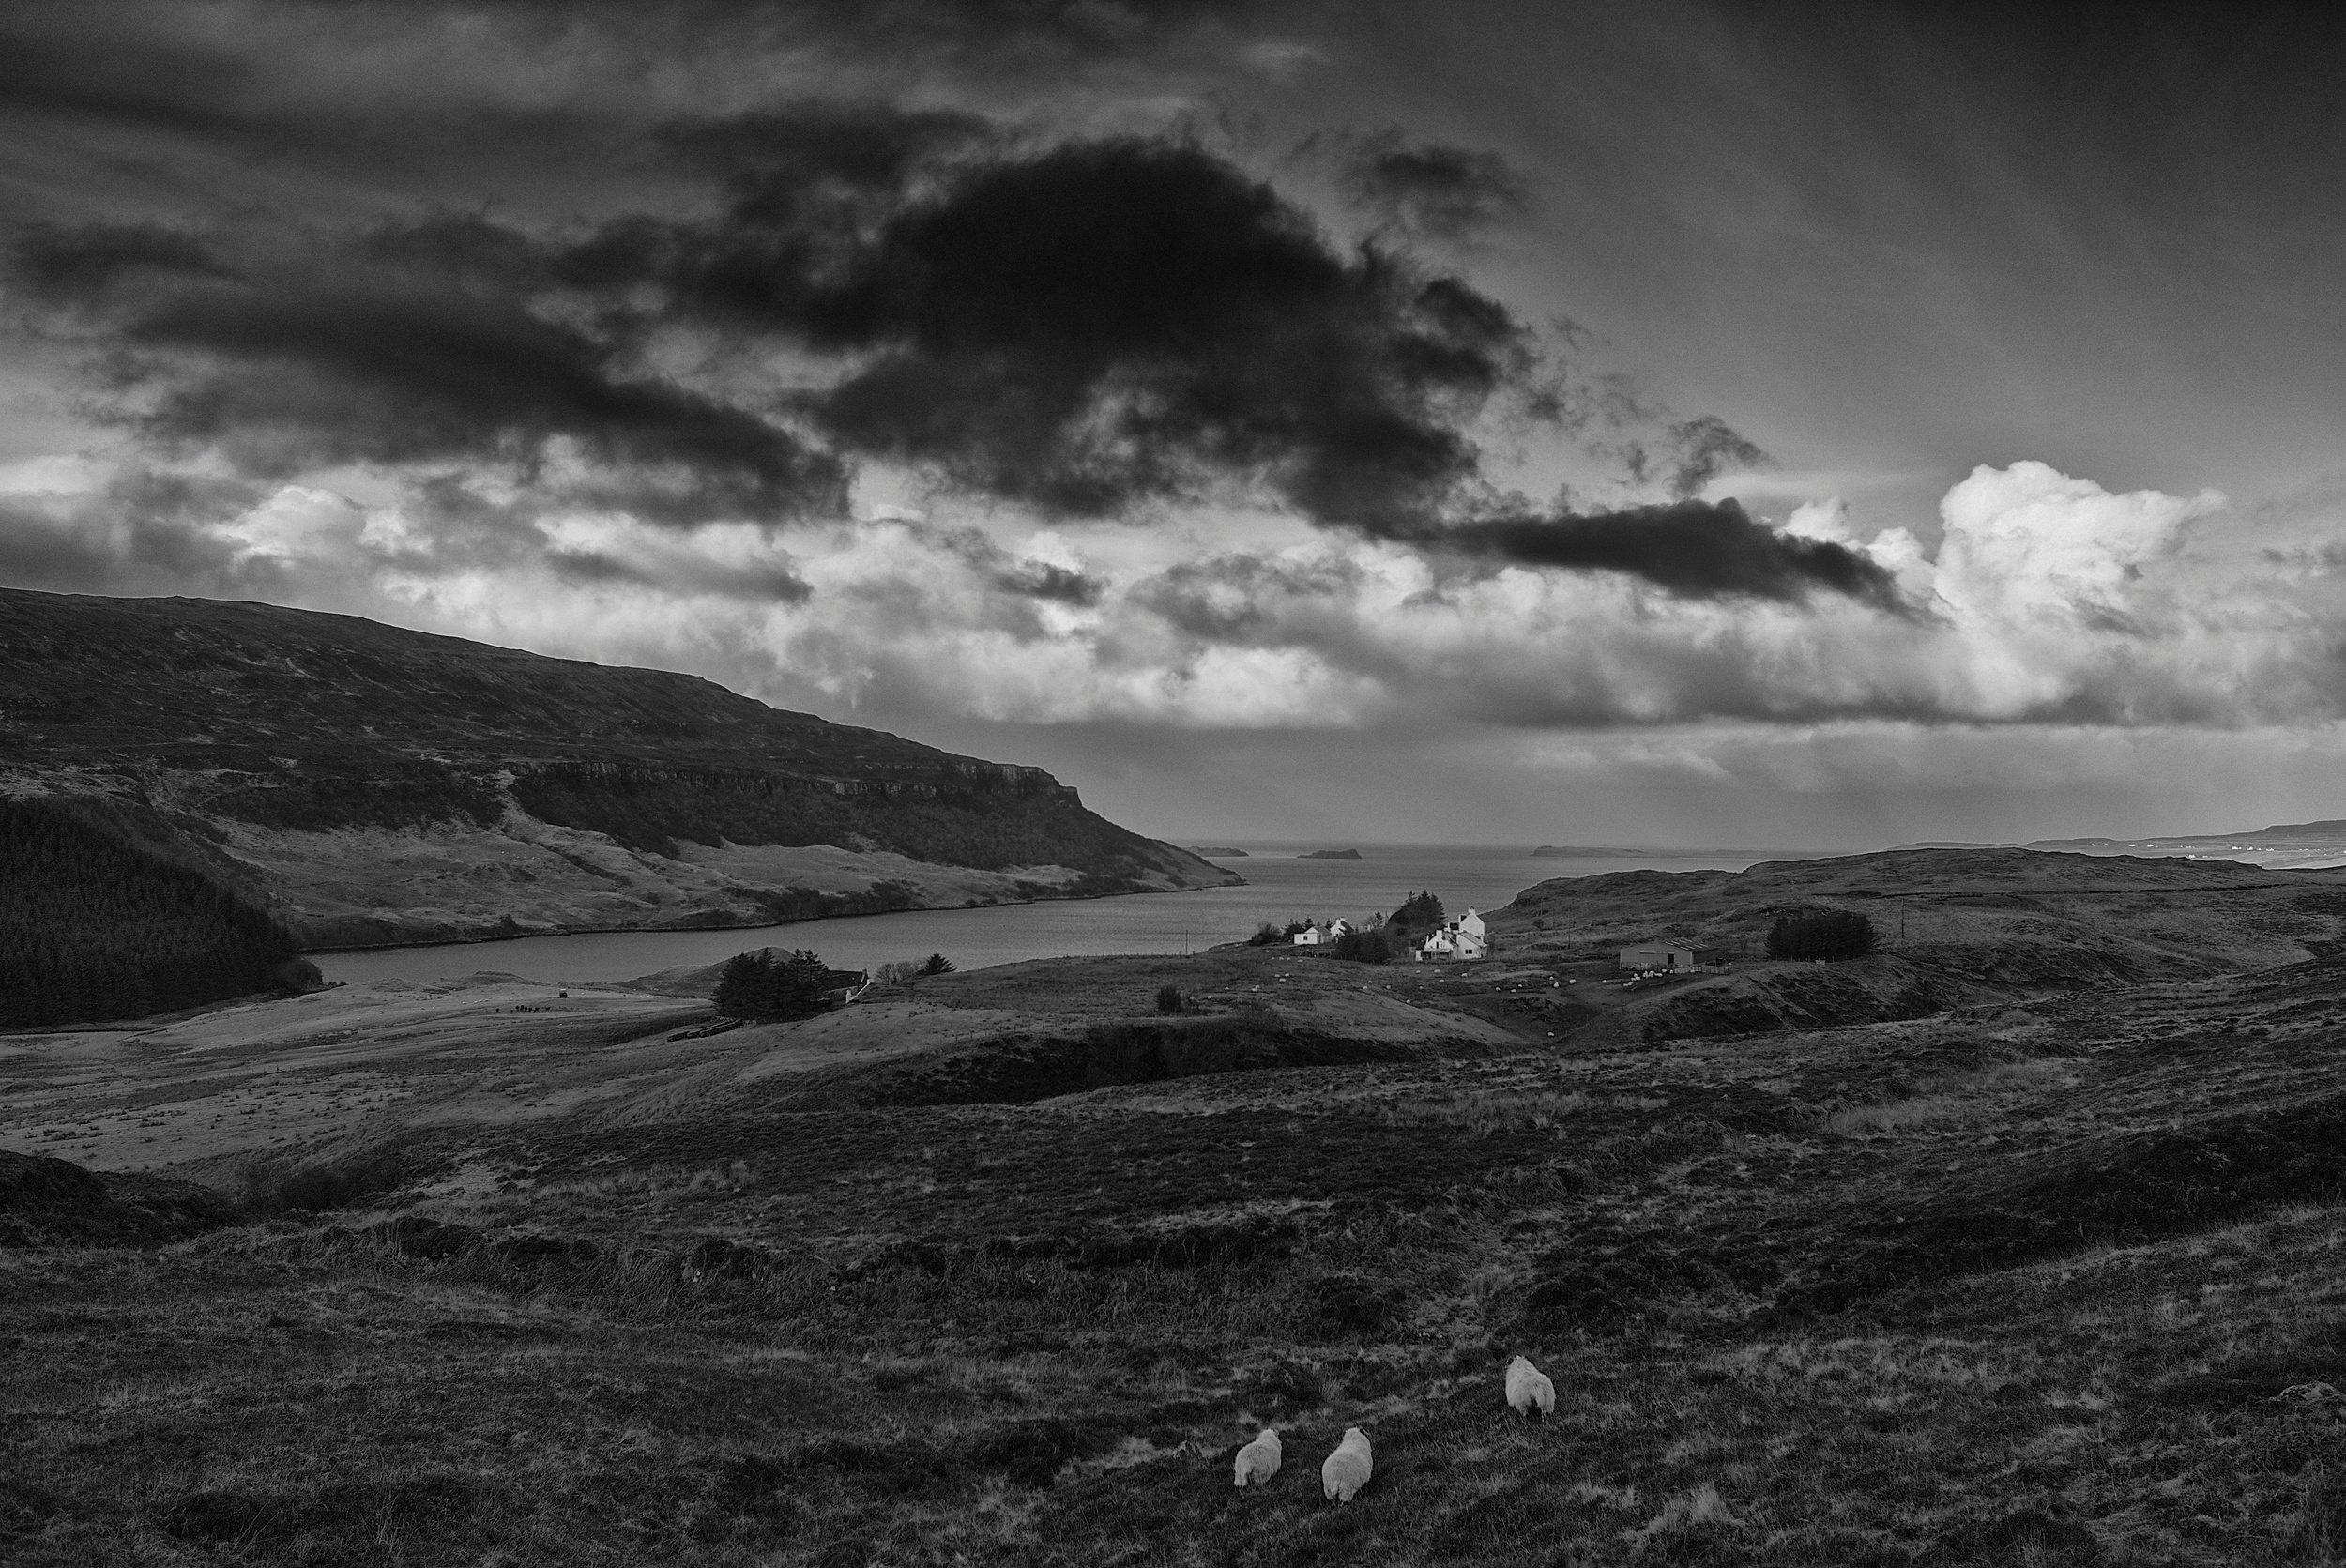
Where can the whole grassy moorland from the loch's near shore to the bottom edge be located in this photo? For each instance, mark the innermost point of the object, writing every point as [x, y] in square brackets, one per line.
[1003, 1266]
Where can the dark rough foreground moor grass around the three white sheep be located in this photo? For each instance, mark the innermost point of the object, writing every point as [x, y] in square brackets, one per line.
[1986, 1290]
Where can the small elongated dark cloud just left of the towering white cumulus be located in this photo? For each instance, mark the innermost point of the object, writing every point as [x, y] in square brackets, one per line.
[1688, 548]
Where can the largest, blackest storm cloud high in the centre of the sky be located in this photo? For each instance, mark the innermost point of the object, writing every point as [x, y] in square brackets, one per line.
[1104, 325]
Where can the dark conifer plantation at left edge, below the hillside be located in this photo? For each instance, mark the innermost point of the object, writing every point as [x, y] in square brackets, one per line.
[97, 928]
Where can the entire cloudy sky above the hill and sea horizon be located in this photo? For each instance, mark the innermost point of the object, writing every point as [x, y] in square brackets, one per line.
[1803, 426]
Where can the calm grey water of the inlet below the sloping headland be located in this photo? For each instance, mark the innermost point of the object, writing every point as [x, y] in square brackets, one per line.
[1280, 886]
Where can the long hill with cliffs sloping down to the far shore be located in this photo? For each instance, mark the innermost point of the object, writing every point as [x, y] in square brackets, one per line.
[379, 785]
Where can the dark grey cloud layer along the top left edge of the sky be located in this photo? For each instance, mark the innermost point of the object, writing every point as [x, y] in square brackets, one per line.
[278, 79]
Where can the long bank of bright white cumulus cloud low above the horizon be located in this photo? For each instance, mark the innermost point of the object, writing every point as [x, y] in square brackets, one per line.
[2047, 600]
